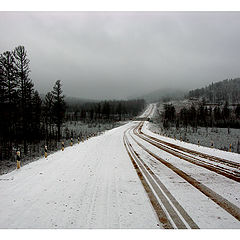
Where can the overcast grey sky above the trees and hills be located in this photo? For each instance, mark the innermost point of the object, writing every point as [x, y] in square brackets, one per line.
[105, 55]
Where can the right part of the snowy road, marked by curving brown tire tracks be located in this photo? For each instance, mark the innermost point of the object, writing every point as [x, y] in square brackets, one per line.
[209, 197]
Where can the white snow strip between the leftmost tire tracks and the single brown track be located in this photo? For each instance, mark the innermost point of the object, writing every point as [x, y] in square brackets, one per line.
[203, 210]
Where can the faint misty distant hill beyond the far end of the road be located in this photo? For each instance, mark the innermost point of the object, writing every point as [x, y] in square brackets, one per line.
[164, 94]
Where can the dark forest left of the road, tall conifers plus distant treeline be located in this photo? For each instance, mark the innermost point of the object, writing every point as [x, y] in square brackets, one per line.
[29, 121]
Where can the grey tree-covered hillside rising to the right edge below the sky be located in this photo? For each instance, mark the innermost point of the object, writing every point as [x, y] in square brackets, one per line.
[226, 90]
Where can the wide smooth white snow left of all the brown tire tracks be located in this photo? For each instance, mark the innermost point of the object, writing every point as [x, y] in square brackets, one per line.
[90, 185]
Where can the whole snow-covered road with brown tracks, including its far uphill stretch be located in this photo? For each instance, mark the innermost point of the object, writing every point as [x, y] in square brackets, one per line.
[98, 184]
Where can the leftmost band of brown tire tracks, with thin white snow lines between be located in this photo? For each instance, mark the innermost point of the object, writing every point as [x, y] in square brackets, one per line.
[168, 210]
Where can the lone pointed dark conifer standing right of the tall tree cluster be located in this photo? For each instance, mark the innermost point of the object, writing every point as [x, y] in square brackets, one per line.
[59, 107]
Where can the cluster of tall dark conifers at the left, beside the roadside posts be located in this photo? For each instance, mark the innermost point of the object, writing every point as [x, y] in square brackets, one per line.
[24, 116]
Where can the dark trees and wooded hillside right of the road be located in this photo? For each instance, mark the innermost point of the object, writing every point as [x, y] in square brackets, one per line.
[217, 105]
